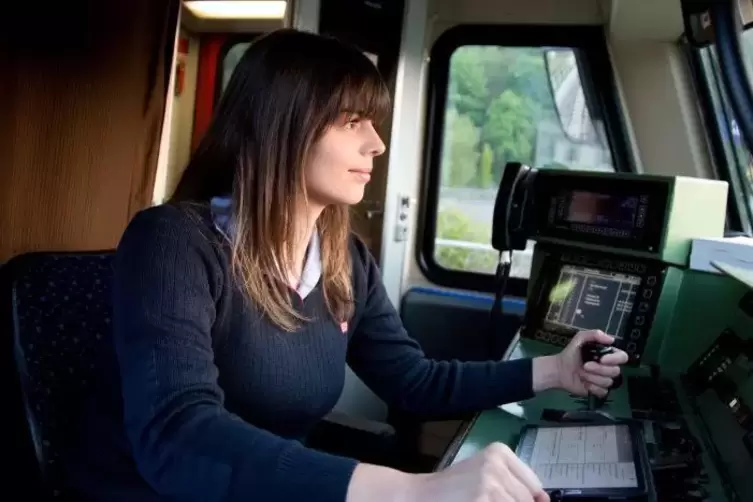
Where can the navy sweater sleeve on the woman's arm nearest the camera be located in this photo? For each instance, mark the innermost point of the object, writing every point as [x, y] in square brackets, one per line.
[185, 443]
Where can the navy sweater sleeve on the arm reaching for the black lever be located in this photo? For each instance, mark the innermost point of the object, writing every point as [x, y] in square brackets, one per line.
[393, 365]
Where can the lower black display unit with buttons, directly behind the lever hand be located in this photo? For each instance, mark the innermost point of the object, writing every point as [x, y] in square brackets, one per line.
[578, 290]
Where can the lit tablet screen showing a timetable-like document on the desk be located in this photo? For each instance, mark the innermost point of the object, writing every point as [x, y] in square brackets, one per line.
[584, 457]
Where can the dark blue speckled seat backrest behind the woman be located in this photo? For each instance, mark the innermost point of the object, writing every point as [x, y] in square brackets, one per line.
[58, 309]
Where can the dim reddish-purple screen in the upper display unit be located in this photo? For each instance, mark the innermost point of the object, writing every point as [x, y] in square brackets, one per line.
[591, 208]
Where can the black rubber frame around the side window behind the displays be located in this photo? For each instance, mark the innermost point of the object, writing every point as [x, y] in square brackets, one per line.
[598, 80]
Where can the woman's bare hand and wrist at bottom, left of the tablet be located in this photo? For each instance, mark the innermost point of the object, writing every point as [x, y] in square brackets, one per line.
[494, 474]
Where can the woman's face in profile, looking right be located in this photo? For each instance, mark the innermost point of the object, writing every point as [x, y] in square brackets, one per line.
[341, 162]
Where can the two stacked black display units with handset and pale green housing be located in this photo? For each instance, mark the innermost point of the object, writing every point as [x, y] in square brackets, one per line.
[607, 244]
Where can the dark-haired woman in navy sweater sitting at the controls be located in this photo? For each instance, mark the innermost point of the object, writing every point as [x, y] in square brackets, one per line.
[238, 305]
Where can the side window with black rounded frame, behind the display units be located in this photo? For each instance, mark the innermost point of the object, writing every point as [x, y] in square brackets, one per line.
[497, 102]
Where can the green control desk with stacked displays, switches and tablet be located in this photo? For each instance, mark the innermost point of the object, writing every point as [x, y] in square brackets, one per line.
[612, 253]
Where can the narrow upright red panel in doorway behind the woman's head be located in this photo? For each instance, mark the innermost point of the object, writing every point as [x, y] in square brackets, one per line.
[209, 54]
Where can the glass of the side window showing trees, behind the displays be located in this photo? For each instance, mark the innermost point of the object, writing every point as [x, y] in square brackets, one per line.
[500, 109]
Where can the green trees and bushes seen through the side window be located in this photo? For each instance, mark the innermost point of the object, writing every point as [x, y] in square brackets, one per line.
[496, 98]
